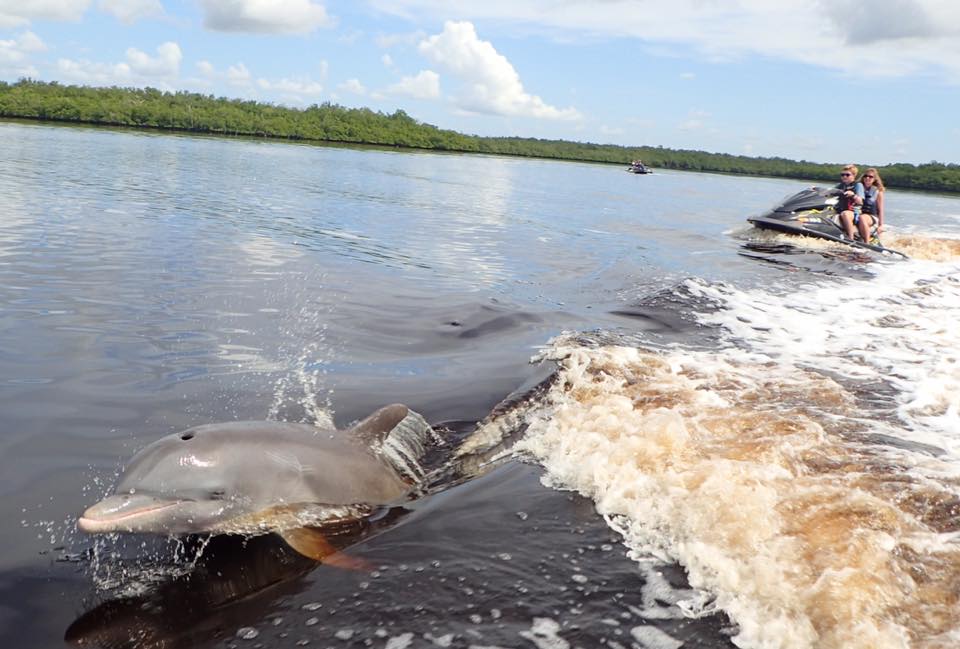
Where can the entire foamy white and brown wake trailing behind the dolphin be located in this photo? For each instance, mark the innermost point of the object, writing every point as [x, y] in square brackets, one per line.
[806, 473]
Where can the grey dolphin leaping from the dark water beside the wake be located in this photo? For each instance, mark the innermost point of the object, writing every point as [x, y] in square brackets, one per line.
[256, 477]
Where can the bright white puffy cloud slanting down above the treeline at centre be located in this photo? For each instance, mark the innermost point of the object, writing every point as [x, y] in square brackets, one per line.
[491, 84]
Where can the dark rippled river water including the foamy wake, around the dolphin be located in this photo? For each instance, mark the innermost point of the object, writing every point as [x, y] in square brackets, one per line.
[743, 439]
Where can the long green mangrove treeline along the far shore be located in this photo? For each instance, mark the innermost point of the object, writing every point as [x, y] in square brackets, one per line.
[186, 111]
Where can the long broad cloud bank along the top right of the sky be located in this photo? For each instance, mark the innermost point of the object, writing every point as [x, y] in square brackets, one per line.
[884, 37]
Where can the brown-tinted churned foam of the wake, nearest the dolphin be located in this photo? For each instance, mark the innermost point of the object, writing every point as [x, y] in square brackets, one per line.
[762, 482]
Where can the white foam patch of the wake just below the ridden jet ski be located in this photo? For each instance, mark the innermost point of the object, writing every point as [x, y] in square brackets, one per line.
[898, 328]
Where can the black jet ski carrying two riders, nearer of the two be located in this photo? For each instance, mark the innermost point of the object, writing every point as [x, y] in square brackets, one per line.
[812, 213]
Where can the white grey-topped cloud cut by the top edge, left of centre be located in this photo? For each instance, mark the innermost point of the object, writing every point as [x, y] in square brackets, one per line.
[264, 16]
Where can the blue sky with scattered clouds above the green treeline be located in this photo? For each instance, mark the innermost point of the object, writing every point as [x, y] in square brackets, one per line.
[822, 80]
